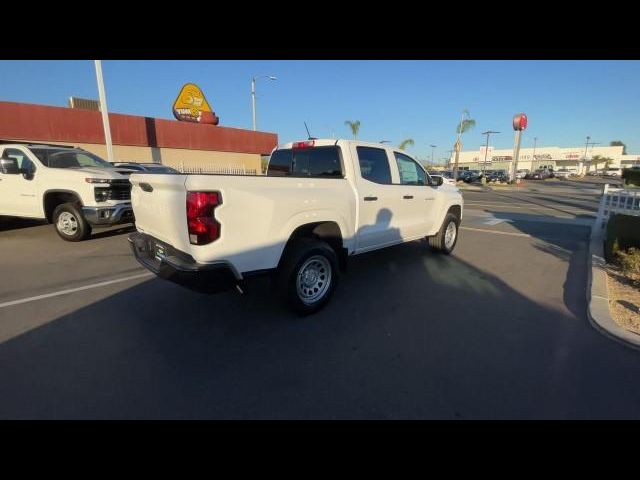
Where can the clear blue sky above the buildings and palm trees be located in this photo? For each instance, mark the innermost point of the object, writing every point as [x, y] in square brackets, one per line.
[394, 100]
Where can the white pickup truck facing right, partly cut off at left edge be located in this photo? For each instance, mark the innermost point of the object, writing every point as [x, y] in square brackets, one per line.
[70, 187]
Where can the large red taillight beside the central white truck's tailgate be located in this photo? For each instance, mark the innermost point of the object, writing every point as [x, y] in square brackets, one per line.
[201, 221]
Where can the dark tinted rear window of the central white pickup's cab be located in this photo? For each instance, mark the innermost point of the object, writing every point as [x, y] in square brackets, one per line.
[315, 162]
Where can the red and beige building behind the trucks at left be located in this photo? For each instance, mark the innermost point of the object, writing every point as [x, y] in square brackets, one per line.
[185, 146]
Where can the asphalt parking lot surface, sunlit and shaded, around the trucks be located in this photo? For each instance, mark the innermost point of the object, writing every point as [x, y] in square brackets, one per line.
[497, 330]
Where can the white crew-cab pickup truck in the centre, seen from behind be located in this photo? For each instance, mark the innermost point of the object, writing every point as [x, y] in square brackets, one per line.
[320, 202]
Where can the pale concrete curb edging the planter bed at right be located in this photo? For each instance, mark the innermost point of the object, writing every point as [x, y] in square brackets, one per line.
[598, 298]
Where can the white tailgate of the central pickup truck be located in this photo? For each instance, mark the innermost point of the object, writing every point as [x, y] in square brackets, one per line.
[159, 206]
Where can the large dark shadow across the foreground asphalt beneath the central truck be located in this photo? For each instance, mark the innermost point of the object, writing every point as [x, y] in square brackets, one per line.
[408, 334]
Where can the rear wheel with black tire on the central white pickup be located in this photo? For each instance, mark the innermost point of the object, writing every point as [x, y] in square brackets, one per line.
[296, 256]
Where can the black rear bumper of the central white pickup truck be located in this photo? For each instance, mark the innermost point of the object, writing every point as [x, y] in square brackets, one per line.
[178, 267]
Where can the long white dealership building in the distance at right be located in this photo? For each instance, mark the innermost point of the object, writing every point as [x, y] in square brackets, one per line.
[541, 157]
